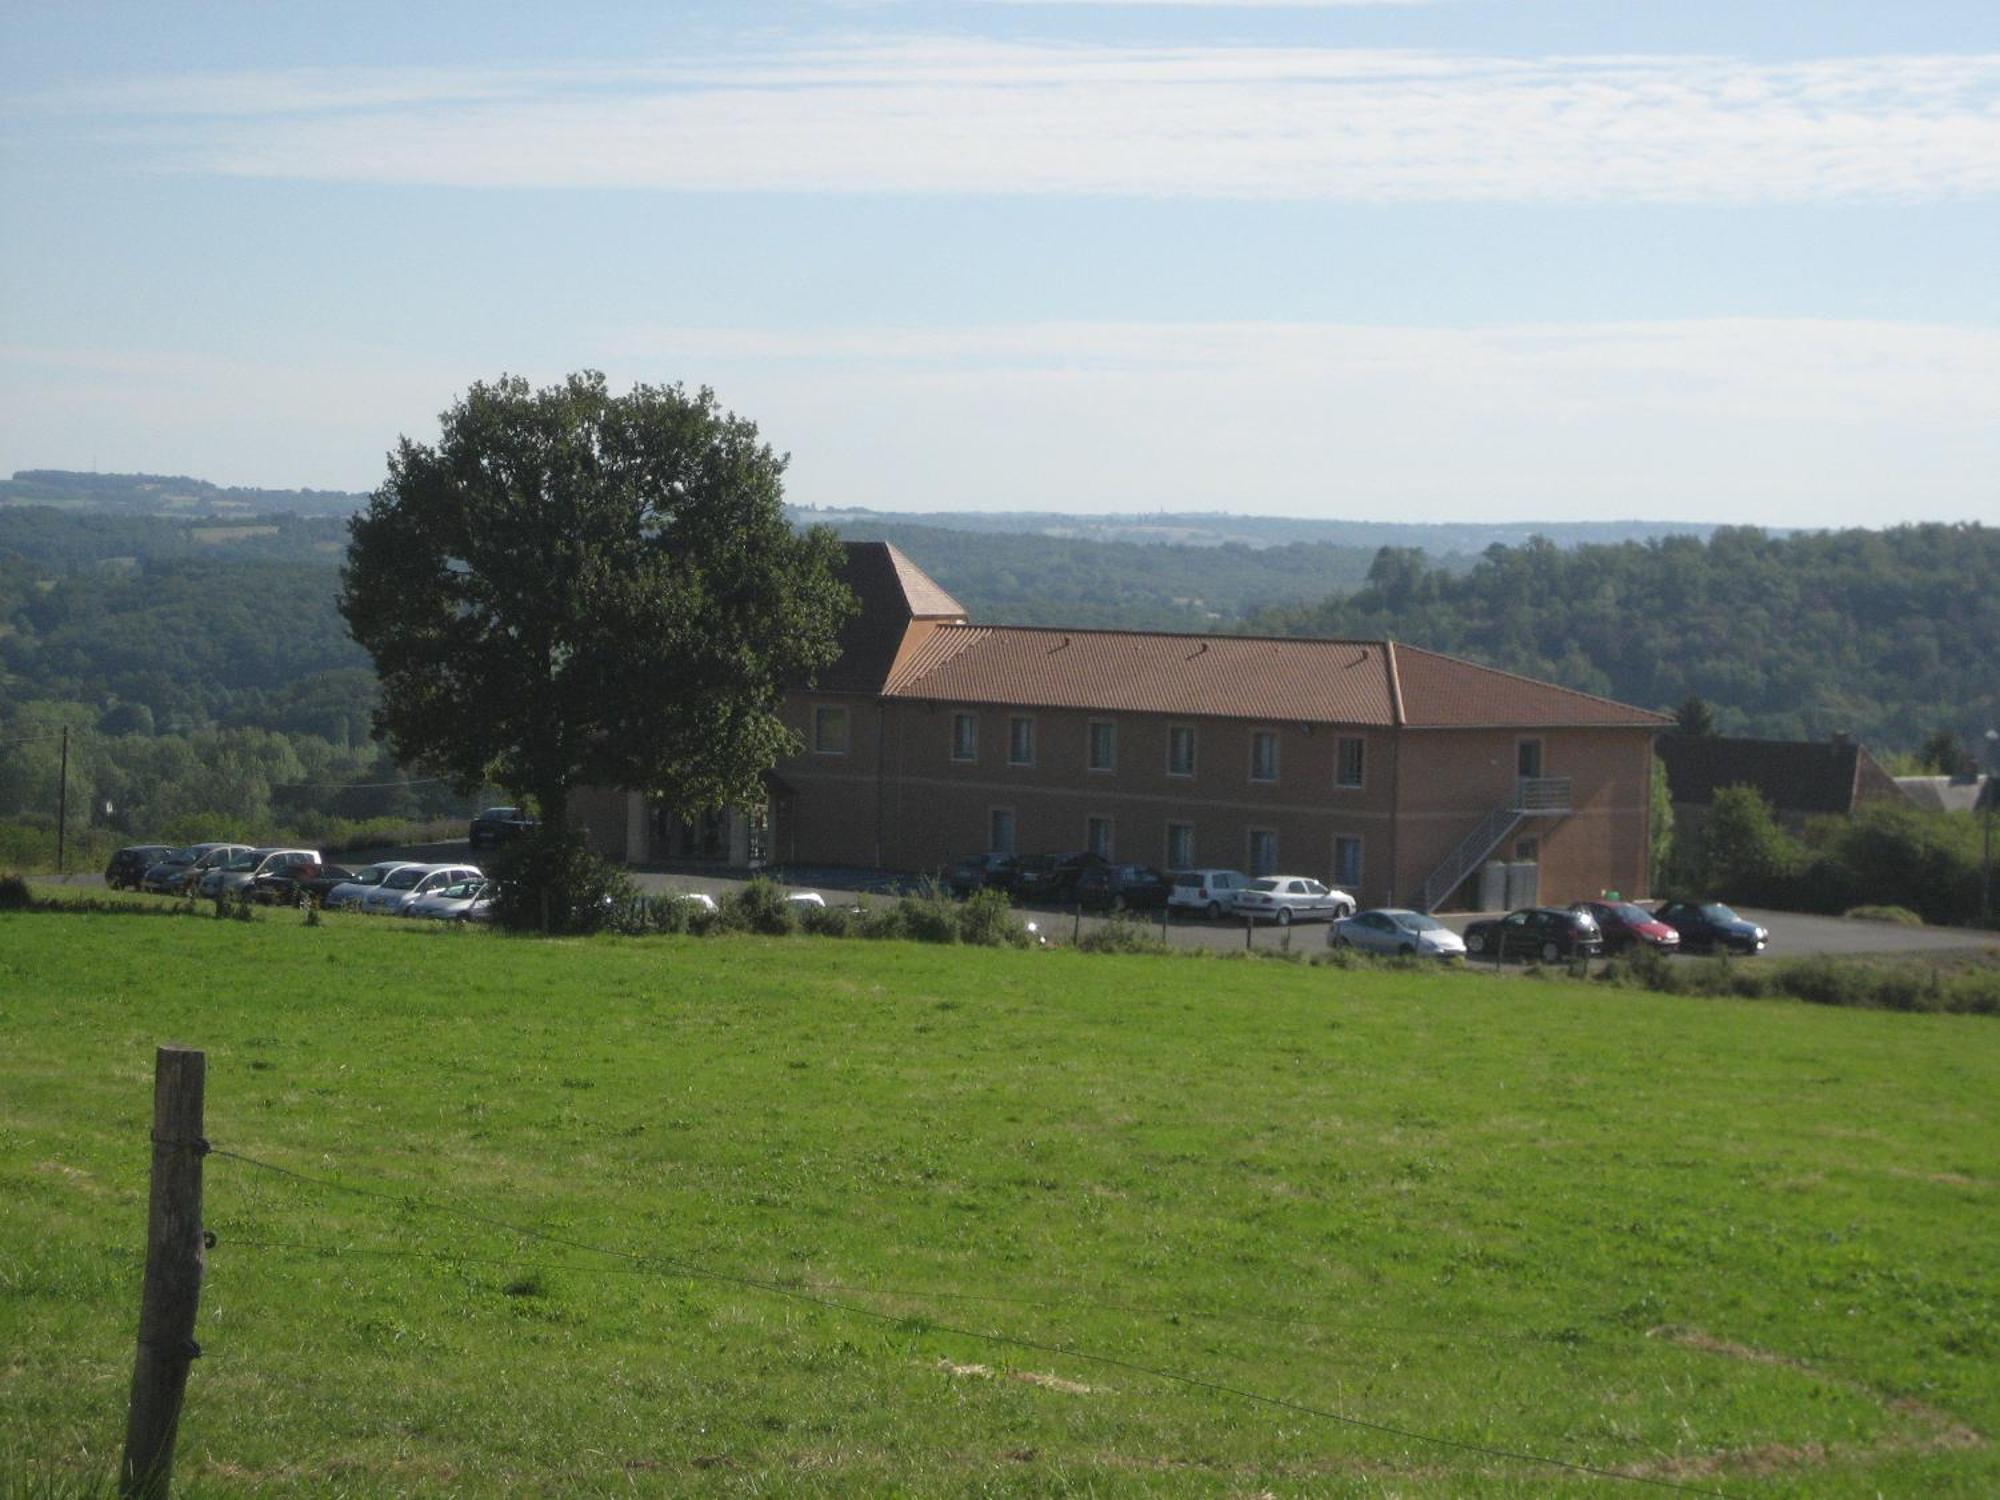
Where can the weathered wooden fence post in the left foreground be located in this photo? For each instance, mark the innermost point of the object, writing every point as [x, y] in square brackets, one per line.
[175, 1267]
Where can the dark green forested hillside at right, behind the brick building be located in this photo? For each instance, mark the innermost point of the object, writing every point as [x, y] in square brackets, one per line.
[1879, 635]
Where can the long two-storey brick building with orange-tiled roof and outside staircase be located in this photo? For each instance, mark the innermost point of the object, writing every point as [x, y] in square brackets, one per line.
[1397, 773]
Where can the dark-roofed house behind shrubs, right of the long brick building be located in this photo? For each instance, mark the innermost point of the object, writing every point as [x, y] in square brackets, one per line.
[1801, 779]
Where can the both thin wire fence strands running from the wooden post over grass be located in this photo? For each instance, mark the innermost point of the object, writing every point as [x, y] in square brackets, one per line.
[825, 1299]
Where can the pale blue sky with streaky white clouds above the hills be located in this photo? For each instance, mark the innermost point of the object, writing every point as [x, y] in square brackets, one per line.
[1709, 261]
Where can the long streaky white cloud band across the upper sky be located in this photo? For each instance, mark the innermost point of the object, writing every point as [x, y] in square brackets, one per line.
[1039, 119]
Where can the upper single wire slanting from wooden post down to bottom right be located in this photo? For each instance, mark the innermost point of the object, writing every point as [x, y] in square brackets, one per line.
[411, 1203]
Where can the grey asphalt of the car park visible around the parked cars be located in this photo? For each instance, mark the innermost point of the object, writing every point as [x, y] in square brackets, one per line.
[1791, 933]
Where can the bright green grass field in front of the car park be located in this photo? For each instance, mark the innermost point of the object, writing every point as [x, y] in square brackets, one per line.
[1741, 1247]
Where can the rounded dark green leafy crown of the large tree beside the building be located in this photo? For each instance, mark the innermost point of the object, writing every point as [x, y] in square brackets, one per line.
[579, 589]
